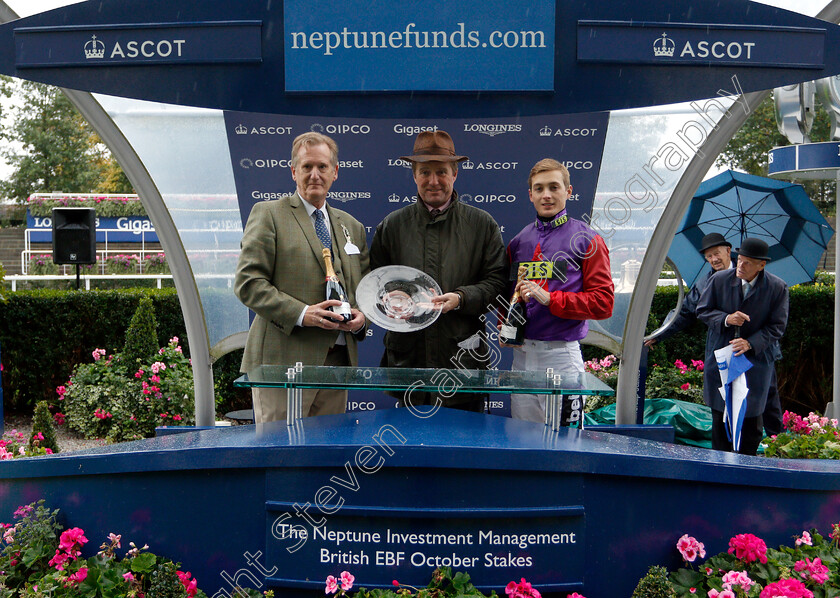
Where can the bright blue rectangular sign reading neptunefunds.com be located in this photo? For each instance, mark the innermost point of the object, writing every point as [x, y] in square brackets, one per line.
[379, 45]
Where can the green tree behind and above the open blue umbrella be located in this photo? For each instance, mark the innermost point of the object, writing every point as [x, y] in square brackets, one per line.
[748, 149]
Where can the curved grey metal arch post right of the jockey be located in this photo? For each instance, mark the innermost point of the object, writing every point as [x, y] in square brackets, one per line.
[666, 228]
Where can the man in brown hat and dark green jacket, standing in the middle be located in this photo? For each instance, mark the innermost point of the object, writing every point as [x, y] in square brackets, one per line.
[461, 248]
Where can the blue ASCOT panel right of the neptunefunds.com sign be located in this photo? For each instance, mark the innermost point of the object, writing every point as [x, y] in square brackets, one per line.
[697, 43]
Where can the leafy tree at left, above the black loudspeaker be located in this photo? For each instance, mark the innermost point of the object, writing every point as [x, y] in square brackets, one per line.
[53, 149]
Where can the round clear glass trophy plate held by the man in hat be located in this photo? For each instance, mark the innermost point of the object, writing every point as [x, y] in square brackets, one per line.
[398, 298]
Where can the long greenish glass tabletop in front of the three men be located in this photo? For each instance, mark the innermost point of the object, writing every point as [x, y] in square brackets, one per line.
[427, 379]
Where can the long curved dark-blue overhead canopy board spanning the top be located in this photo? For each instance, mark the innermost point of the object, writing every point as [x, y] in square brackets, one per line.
[469, 59]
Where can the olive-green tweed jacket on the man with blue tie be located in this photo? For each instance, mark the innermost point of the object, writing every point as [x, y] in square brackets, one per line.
[281, 270]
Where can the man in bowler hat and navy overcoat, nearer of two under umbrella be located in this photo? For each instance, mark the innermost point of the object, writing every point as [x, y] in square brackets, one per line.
[746, 308]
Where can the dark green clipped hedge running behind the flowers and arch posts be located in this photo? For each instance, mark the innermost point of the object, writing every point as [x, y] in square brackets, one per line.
[44, 333]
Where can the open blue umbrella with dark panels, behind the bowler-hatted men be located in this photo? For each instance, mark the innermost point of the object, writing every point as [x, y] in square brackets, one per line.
[738, 206]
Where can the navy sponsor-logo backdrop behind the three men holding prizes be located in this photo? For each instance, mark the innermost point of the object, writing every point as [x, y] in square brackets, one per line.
[373, 181]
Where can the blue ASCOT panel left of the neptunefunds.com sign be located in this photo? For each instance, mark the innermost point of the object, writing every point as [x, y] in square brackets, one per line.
[161, 43]
